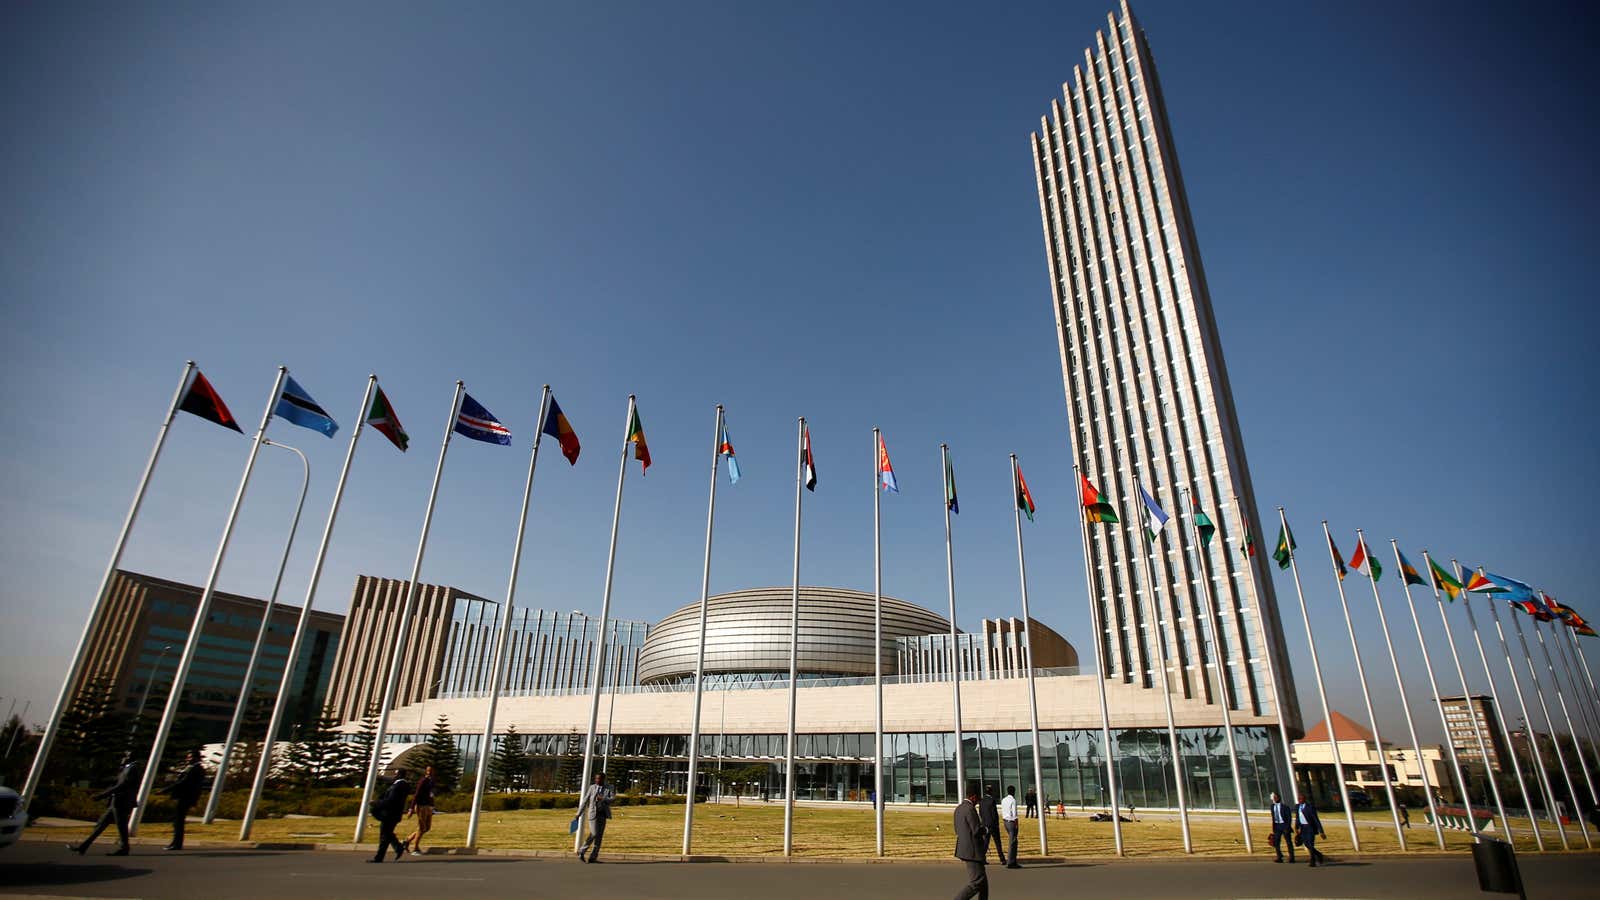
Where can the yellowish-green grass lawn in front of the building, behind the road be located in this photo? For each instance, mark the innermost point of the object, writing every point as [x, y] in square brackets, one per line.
[758, 830]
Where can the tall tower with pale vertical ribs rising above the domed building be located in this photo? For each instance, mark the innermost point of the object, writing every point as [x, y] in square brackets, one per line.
[1148, 395]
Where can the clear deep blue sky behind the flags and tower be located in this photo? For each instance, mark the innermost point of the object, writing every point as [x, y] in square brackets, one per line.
[820, 211]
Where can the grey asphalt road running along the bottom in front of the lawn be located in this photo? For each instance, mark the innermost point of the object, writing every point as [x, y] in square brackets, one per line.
[47, 870]
